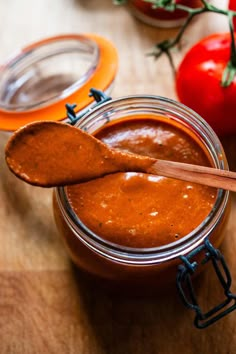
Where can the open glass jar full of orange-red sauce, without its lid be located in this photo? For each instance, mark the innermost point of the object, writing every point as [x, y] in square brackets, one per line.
[131, 230]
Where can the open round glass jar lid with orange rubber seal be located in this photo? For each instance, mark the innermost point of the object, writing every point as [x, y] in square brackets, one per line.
[38, 81]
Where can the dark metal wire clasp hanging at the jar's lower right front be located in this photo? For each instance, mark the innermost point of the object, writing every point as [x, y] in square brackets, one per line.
[186, 290]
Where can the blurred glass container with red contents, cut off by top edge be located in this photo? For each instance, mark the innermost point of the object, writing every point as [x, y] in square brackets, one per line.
[146, 12]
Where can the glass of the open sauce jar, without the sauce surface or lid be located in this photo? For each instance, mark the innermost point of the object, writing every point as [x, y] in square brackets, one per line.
[139, 269]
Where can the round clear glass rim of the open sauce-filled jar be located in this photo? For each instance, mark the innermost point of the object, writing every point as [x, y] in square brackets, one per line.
[174, 249]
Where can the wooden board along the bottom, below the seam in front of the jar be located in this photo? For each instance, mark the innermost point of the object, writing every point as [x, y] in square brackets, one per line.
[55, 311]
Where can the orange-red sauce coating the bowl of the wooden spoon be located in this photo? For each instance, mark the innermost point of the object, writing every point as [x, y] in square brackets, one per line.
[50, 154]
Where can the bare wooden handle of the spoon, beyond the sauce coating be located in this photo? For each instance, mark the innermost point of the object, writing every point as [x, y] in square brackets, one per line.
[209, 176]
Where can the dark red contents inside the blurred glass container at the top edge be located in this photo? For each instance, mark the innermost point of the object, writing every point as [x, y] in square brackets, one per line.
[148, 10]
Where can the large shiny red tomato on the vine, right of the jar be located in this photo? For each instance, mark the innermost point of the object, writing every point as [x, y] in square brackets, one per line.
[198, 83]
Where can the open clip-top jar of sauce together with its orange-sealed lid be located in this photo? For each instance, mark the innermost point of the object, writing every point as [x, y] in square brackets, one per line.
[130, 231]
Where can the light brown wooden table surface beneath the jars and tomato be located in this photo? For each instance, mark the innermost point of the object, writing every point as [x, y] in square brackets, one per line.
[45, 307]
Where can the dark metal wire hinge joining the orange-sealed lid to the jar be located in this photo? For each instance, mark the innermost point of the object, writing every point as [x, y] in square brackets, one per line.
[99, 96]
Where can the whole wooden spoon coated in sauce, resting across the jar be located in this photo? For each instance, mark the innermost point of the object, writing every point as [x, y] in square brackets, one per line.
[51, 154]
